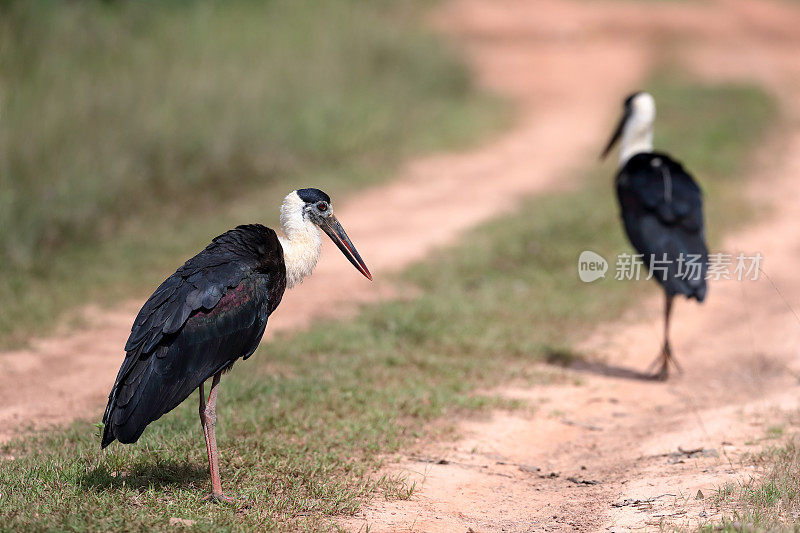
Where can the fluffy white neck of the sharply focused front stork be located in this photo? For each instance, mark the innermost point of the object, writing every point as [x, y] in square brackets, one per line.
[301, 242]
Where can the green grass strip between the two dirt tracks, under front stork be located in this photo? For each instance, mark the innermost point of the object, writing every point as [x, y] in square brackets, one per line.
[305, 422]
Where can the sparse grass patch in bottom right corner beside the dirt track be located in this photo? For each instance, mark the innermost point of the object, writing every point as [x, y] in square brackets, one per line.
[770, 499]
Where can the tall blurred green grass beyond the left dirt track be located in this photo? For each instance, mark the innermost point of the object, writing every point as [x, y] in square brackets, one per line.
[133, 132]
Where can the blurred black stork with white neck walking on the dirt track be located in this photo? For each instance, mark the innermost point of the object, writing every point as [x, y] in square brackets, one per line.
[662, 210]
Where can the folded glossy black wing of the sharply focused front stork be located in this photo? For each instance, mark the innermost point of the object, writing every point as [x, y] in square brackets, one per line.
[209, 313]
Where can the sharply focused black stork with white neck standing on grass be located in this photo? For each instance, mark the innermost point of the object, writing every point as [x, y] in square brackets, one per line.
[212, 311]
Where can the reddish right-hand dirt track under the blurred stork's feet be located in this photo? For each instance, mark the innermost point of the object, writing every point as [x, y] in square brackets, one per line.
[614, 453]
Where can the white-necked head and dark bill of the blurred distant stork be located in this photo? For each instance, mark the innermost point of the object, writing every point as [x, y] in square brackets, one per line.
[635, 127]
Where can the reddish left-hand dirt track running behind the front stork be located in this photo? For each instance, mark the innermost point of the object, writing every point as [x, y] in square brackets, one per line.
[559, 79]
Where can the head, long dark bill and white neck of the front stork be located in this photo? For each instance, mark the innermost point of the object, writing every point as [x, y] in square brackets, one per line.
[301, 211]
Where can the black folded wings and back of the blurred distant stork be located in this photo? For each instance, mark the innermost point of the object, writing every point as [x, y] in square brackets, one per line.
[662, 208]
